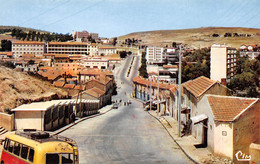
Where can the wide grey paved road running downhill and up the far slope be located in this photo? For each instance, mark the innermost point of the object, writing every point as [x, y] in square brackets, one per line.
[125, 135]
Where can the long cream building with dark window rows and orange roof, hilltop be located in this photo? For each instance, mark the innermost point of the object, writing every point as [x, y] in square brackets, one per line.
[68, 48]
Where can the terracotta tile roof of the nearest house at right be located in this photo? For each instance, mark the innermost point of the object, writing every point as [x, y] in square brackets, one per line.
[227, 108]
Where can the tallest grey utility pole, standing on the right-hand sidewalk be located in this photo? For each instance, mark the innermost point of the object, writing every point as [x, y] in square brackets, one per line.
[179, 95]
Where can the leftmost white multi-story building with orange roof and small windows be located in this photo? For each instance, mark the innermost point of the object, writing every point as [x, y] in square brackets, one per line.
[27, 47]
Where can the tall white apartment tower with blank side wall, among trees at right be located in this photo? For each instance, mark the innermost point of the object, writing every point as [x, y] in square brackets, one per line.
[222, 63]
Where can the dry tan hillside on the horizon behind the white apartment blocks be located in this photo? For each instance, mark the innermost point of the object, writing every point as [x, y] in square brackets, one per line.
[196, 38]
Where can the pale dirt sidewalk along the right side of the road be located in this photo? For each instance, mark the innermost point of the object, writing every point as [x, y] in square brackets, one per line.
[197, 155]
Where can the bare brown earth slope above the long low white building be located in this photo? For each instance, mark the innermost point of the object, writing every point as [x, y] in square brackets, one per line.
[18, 88]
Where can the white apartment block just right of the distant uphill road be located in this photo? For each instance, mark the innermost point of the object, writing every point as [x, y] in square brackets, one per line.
[154, 55]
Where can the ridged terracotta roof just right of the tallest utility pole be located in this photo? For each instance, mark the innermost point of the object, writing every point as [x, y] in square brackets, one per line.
[199, 85]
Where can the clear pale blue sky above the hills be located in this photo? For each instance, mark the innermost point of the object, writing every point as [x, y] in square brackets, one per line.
[112, 18]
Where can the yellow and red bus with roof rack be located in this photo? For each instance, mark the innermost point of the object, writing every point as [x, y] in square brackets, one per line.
[32, 146]
